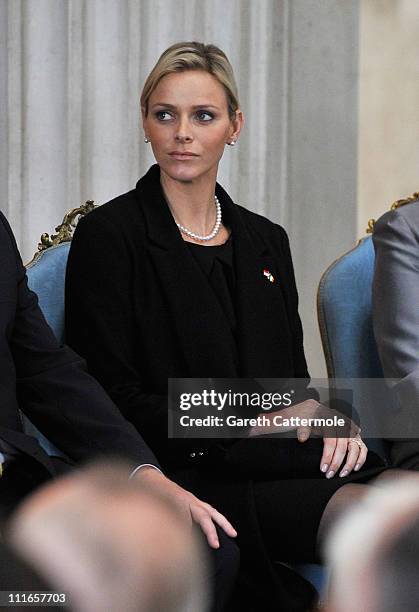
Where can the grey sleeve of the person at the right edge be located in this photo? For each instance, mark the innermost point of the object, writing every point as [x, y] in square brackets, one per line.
[396, 316]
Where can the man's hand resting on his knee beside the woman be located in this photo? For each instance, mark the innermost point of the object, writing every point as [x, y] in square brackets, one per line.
[192, 508]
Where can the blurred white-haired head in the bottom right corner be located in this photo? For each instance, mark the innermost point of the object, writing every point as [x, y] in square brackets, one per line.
[373, 552]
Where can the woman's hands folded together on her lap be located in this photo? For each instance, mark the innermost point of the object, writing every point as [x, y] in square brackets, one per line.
[336, 448]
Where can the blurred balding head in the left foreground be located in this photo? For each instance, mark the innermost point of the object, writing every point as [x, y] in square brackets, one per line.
[112, 544]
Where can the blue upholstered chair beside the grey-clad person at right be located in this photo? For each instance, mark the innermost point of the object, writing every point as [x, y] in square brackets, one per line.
[344, 308]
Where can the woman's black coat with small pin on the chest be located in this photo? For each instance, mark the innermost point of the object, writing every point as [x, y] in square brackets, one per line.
[140, 310]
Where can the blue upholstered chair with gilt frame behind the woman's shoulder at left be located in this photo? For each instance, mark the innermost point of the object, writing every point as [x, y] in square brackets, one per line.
[46, 277]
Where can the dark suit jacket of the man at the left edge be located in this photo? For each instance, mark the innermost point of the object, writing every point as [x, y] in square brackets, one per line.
[49, 382]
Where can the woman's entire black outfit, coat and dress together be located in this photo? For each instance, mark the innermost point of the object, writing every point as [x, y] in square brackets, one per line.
[143, 306]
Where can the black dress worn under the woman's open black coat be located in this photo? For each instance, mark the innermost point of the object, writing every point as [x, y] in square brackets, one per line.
[289, 529]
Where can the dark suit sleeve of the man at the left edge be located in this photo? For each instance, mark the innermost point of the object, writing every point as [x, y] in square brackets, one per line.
[55, 391]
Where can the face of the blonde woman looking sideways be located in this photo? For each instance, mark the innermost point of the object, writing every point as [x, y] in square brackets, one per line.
[188, 124]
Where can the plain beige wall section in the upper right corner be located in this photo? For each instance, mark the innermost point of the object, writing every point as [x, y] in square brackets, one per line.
[388, 156]
